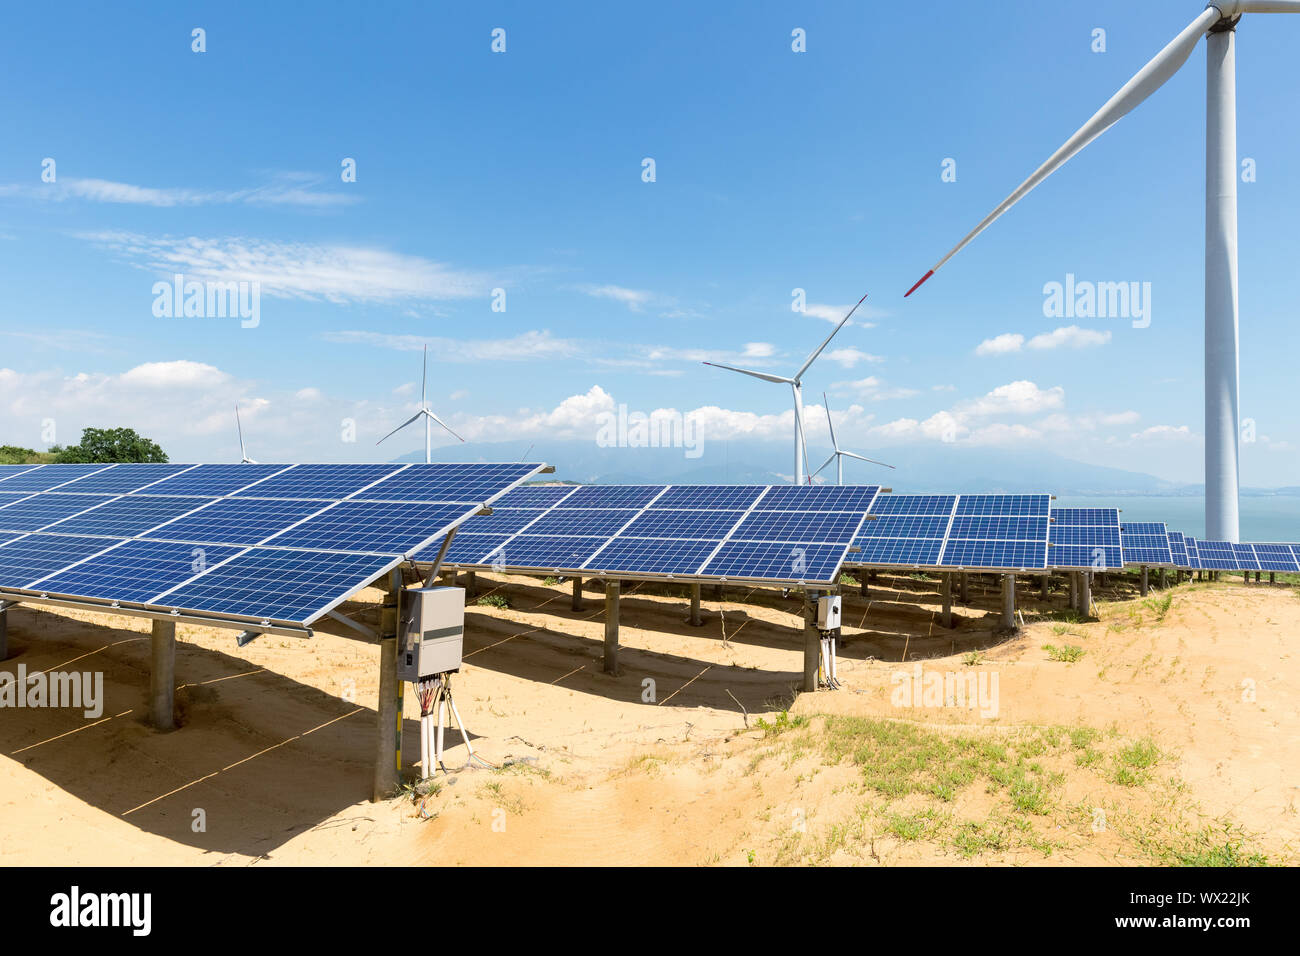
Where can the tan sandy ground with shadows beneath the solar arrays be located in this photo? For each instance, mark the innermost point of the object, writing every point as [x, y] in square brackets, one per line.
[274, 759]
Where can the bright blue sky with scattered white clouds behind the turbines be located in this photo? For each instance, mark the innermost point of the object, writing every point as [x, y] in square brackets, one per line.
[523, 171]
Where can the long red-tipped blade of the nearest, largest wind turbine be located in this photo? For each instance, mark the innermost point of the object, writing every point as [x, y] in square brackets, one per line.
[1150, 79]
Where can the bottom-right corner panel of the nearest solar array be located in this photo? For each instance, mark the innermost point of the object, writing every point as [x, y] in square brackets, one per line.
[291, 586]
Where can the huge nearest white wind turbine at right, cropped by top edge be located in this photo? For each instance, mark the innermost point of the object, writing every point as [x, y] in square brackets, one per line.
[1217, 23]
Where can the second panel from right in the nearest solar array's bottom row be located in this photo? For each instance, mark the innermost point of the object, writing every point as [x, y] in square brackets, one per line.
[136, 570]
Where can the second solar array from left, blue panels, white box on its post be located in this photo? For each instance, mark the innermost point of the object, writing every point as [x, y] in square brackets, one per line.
[765, 534]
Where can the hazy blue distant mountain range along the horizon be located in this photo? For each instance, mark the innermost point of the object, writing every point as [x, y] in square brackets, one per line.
[920, 469]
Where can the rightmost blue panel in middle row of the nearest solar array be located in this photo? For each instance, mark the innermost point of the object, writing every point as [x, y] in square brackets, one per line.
[371, 526]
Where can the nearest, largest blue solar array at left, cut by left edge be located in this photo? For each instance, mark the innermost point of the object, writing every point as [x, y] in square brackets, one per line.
[267, 543]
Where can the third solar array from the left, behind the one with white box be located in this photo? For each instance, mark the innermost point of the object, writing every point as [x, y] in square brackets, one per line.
[960, 533]
